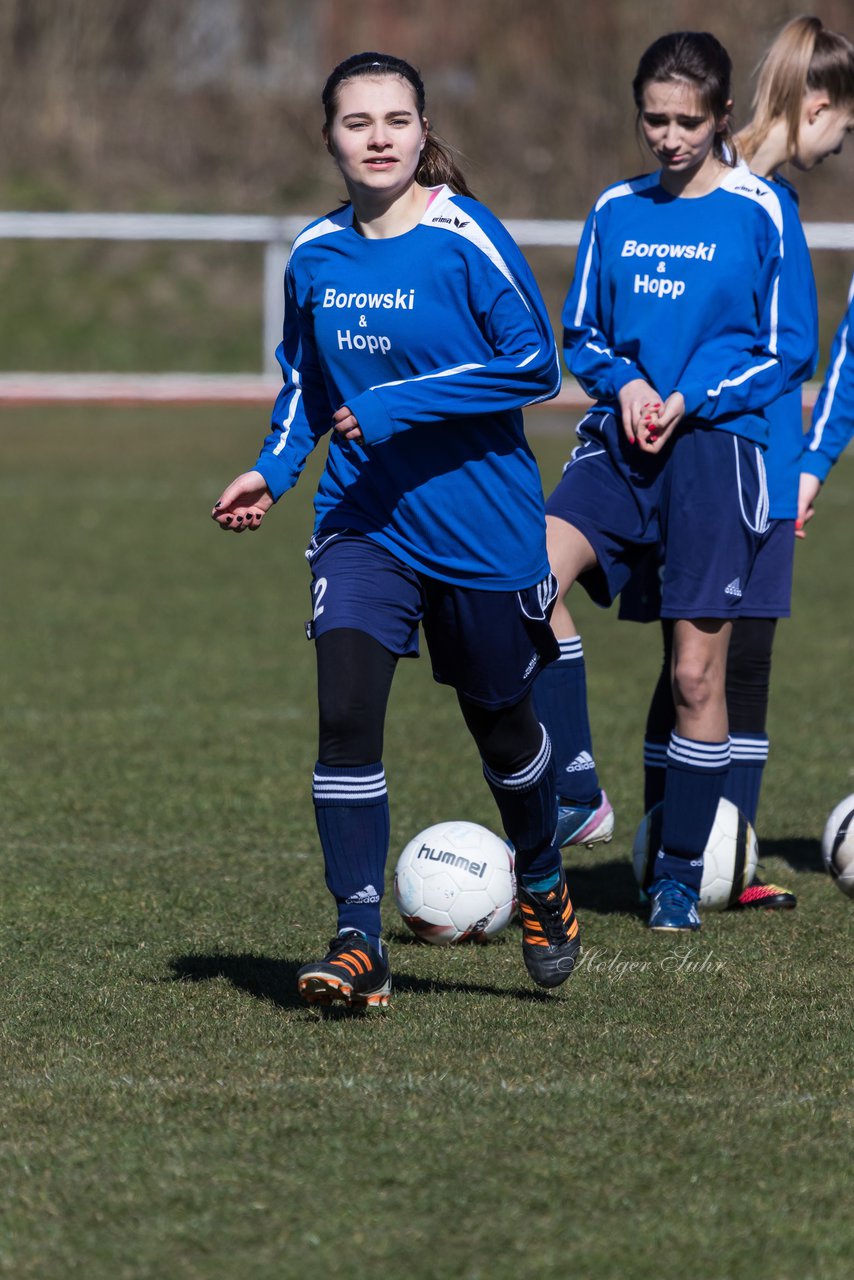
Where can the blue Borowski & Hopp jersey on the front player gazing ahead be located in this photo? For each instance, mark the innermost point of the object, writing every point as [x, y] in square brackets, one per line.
[435, 340]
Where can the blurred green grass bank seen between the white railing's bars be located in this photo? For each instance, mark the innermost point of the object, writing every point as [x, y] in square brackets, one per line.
[112, 308]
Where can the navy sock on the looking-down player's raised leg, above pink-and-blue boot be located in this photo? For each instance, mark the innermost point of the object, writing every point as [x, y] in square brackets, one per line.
[561, 702]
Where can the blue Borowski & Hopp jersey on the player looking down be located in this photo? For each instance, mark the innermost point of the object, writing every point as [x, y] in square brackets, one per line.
[684, 294]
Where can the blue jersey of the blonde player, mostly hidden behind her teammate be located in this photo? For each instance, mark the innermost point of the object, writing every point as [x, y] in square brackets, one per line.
[800, 337]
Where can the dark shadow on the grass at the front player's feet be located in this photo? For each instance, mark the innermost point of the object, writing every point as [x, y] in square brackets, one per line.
[276, 981]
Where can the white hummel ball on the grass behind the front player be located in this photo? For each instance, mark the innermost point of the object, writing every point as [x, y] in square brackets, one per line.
[455, 883]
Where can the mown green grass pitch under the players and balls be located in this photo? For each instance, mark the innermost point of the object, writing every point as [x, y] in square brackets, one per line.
[172, 1112]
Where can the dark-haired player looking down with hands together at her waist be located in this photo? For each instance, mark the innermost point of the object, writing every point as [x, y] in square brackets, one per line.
[672, 326]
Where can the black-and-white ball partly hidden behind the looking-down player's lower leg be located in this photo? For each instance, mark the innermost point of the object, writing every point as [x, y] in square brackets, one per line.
[729, 858]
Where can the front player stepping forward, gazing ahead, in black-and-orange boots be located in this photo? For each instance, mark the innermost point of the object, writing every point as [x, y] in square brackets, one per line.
[414, 335]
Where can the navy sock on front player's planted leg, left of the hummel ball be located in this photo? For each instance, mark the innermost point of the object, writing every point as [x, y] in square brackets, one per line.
[351, 808]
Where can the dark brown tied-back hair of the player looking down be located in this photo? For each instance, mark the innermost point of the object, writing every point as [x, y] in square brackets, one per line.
[701, 61]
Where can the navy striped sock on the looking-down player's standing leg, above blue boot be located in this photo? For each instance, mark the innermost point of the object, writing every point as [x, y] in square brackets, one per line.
[693, 788]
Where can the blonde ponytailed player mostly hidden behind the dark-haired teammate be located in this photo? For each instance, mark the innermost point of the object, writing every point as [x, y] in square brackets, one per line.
[803, 108]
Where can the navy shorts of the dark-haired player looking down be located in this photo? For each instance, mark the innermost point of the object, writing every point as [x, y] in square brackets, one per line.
[704, 499]
